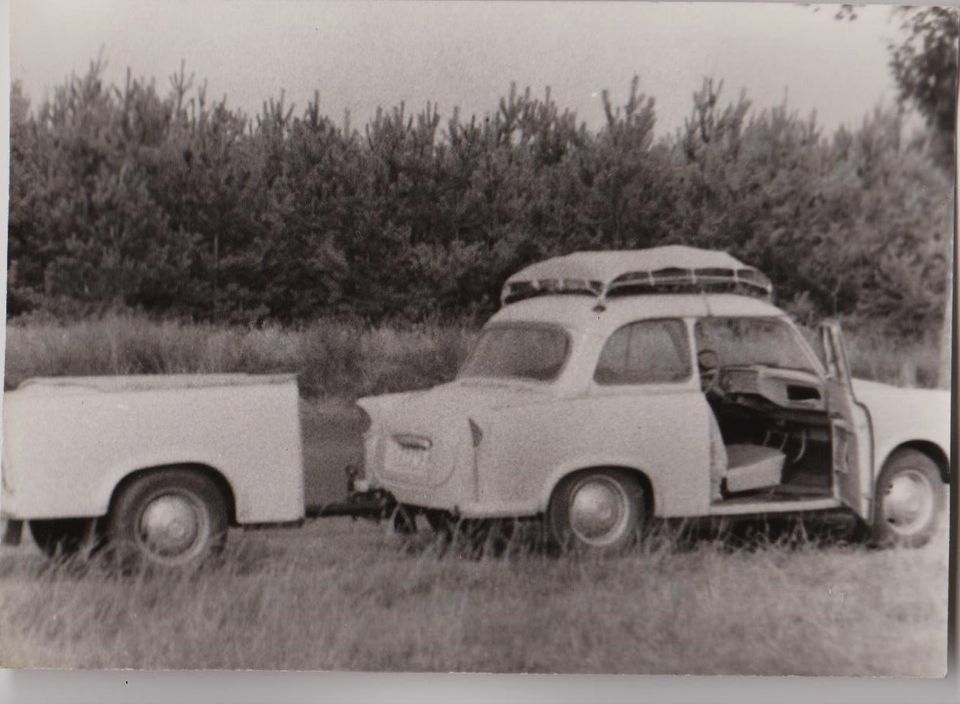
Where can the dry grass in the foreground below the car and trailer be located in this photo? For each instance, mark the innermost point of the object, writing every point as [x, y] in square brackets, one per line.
[347, 596]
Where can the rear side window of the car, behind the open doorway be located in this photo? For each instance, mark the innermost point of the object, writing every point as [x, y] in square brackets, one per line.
[645, 352]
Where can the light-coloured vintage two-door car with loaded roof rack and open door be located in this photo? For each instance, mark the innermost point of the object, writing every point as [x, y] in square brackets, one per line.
[614, 387]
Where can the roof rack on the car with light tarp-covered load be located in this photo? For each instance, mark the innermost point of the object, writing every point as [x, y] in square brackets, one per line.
[670, 269]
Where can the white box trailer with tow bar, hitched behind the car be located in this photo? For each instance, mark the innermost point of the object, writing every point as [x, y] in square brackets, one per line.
[158, 466]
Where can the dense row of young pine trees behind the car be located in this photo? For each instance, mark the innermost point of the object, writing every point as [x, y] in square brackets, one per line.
[176, 205]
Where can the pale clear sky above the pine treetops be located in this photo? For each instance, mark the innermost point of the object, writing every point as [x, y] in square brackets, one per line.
[359, 55]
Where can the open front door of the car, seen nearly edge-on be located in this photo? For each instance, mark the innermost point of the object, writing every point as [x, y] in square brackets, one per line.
[850, 429]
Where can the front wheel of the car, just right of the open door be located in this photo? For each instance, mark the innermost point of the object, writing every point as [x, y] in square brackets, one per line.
[909, 500]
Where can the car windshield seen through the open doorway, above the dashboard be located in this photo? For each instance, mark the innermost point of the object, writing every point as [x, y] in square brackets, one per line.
[770, 342]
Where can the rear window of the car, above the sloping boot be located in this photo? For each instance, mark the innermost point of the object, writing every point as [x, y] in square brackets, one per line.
[531, 352]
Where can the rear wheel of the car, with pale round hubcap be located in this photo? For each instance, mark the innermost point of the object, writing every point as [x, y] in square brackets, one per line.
[597, 511]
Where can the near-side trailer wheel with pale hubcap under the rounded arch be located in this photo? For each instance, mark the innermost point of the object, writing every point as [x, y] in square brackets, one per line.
[173, 517]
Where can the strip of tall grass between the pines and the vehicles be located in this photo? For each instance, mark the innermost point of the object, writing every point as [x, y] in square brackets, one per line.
[332, 358]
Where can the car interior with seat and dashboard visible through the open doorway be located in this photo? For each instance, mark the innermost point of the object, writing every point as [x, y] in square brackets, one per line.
[771, 435]
